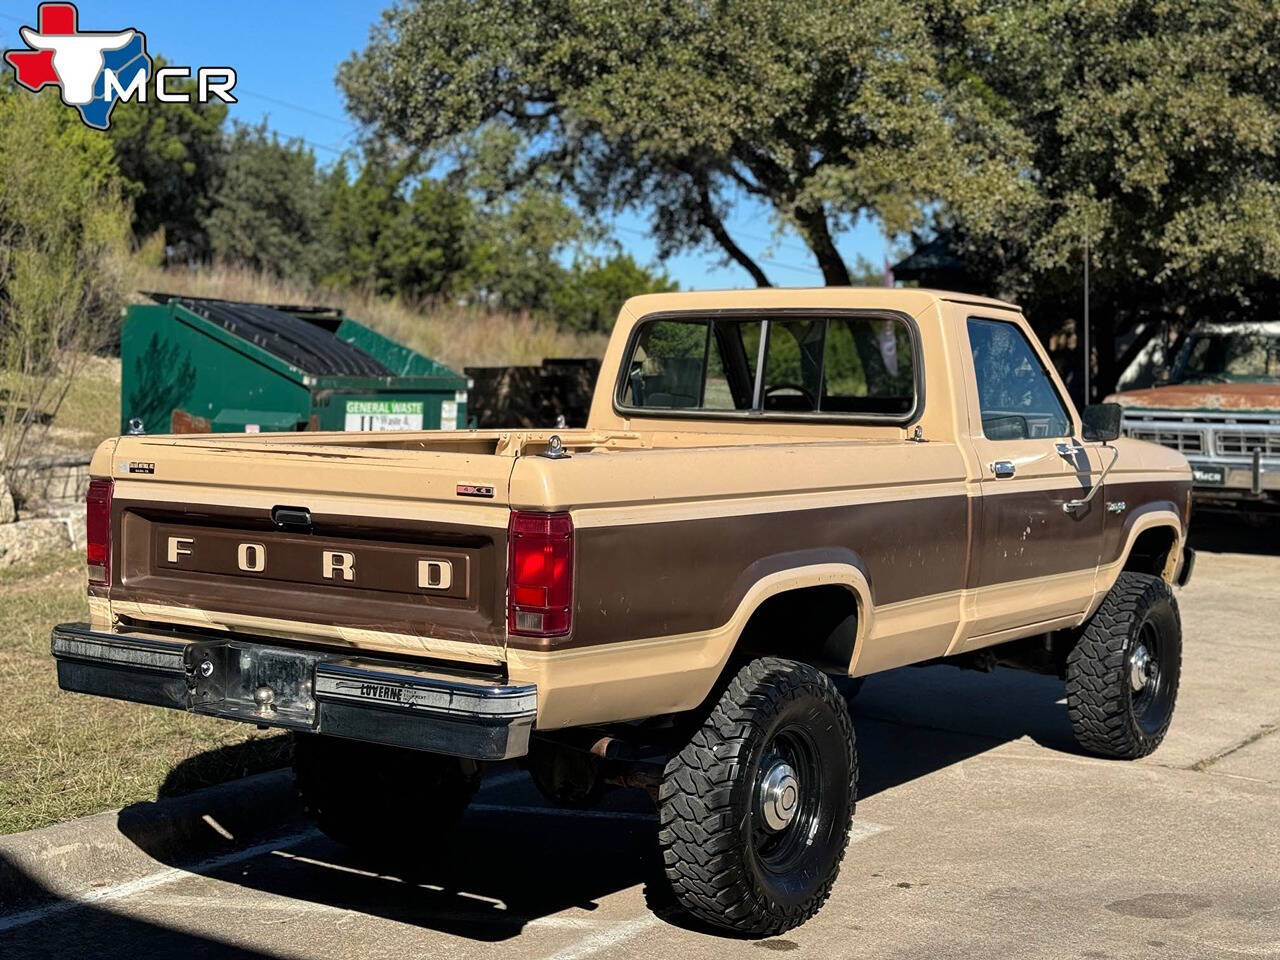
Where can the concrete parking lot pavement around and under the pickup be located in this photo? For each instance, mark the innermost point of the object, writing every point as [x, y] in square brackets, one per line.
[980, 833]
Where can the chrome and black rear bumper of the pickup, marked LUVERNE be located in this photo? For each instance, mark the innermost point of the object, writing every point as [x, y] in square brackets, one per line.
[383, 702]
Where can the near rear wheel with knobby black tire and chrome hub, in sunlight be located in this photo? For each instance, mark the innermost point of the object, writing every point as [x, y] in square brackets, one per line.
[740, 852]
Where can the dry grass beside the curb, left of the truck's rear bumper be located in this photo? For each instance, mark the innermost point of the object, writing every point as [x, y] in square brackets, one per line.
[66, 756]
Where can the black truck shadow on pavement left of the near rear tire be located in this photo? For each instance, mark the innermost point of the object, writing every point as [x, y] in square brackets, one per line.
[510, 862]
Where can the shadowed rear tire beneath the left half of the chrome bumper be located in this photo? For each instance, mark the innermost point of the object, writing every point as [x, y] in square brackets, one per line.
[380, 799]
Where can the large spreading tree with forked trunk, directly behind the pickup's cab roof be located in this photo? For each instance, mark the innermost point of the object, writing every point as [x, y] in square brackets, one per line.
[822, 112]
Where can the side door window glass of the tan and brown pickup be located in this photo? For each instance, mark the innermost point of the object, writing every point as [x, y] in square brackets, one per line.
[1016, 395]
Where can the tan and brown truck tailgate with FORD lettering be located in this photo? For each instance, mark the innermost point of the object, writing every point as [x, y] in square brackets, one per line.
[404, 547]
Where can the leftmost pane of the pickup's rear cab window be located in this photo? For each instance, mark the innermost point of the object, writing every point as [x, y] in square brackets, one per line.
[668, 364]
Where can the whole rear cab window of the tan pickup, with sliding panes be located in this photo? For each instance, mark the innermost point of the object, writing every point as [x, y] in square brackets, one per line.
[820, 367]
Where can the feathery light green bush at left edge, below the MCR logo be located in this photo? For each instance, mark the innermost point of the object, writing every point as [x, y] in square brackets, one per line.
[65, 239]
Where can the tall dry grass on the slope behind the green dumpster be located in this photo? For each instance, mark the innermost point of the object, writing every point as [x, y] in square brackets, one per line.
[456, 336]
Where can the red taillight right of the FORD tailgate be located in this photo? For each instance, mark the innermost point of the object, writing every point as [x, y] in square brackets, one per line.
[540, 574]
